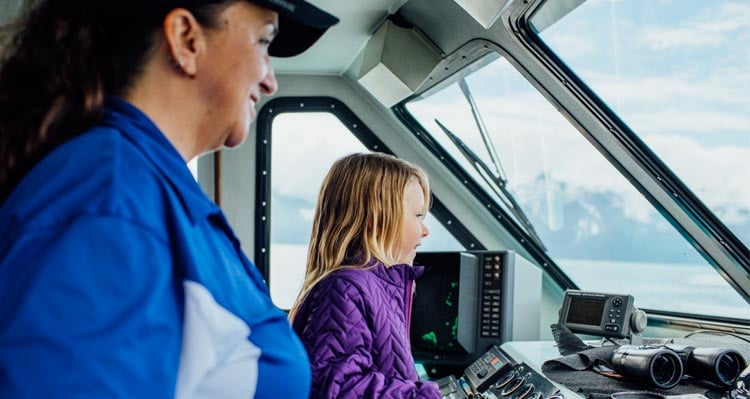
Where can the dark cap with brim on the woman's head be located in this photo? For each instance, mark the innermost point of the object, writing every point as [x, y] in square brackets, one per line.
[301, 24]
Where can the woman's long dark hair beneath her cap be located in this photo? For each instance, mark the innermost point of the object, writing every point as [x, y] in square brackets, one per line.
[60, 60]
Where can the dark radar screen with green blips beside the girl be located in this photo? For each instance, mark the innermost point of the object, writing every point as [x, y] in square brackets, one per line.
[434, 325]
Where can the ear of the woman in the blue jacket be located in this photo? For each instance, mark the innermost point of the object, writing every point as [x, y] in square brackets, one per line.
[184, 39]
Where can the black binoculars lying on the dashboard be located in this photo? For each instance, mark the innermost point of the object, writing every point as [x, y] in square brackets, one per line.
[664, 366]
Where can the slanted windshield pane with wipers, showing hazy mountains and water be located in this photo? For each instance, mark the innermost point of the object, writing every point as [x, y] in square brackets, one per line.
[597, 227]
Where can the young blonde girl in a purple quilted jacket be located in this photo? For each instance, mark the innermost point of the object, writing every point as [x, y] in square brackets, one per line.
[354, 307]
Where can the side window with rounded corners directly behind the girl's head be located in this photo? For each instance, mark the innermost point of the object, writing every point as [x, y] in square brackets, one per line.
[297, 173]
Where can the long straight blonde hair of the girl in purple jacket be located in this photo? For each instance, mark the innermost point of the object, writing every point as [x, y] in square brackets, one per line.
[359, 215]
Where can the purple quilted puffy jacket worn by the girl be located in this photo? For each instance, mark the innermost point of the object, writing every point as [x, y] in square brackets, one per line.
[354, 325]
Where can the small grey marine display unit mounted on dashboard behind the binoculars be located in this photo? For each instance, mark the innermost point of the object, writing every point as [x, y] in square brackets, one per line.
[604, 315]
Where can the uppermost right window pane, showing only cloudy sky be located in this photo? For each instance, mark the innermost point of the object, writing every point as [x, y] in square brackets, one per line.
[678, 74]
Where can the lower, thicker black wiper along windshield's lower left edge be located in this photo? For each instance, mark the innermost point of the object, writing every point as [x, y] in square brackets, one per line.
[497, 183]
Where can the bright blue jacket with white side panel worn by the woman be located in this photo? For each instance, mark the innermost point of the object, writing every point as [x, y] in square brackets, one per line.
[119, 278]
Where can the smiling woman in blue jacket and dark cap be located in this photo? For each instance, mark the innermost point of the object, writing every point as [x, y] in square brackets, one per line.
[119, 277]
